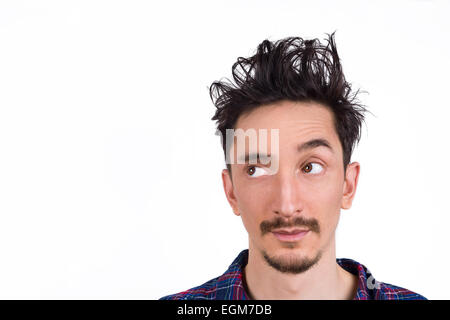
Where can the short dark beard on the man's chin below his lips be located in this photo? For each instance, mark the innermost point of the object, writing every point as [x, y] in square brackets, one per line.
[291, 264]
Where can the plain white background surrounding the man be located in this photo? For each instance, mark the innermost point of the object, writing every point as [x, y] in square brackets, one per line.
[110, 181]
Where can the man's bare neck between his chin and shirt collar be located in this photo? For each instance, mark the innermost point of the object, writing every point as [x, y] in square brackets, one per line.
[325, 280]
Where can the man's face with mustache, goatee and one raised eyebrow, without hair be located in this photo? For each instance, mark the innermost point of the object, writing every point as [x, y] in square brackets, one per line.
[306, 192]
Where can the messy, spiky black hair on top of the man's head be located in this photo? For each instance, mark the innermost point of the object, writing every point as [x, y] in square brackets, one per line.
[291, 69]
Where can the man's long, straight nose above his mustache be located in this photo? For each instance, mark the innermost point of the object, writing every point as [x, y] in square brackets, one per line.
[287, 202]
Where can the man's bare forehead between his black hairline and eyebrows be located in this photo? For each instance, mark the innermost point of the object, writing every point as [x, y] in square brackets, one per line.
[295, 120]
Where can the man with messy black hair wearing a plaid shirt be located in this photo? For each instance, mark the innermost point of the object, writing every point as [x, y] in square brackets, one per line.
[289, 198]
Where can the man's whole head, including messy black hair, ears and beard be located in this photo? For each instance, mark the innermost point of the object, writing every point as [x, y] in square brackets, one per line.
[297, 87]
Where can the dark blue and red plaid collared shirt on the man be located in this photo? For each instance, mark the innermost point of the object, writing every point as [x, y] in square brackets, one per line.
[229, 286]
